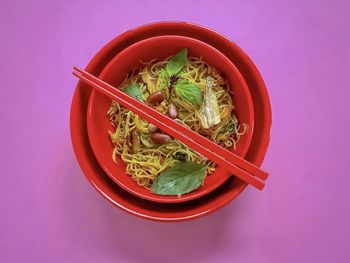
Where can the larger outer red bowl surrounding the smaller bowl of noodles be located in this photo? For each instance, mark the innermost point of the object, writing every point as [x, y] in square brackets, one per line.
[181, 211]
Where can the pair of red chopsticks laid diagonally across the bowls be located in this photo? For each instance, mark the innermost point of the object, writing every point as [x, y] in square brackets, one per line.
[238, 166]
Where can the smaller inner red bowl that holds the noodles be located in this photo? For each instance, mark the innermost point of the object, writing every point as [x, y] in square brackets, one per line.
[115, 72]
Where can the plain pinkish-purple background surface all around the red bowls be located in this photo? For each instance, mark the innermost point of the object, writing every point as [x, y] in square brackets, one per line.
[50, 213]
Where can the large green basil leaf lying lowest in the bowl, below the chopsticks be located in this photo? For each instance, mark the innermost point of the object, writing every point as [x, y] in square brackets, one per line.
[180, 179]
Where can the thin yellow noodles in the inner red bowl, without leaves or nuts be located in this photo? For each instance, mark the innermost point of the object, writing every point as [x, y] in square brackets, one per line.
[145, 163]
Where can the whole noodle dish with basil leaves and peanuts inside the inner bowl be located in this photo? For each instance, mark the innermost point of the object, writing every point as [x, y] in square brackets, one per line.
[195, 95]
